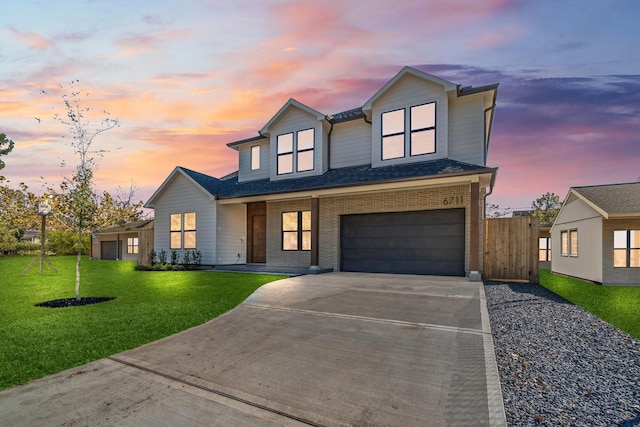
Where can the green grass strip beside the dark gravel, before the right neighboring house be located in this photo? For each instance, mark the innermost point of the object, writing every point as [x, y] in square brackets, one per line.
[618, 305]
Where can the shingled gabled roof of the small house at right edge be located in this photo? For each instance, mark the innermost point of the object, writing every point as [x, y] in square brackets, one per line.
[611, 201]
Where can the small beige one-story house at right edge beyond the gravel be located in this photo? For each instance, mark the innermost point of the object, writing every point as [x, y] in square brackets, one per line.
[596, 235]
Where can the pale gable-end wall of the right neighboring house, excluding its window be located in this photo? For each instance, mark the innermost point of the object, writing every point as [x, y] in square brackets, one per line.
[588, 264]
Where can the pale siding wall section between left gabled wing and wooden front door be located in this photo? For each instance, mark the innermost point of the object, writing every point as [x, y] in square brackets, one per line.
[231, 234]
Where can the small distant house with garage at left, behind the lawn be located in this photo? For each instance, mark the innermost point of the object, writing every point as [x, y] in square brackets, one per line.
[123, 242]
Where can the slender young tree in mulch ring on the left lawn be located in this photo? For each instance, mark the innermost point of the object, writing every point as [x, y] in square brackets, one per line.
[80, 185]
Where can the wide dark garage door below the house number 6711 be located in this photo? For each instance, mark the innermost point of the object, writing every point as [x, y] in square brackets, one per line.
[421, 242]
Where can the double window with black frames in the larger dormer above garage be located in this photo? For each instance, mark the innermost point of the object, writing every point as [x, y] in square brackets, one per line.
[421, 137]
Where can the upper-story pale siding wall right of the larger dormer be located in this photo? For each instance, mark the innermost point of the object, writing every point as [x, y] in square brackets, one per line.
[466, 129]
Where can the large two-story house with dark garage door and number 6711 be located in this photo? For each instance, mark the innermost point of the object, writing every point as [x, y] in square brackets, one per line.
[394, 186]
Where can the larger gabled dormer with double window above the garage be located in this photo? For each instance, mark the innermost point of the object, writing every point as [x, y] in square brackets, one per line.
[409, 117]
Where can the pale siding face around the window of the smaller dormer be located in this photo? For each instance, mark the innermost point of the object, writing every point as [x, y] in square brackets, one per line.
[292, 121]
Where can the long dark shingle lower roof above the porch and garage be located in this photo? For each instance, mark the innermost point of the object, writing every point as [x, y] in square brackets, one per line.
[335, 178]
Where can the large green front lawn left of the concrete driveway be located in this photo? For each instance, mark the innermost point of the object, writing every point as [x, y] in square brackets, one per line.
[36, 341]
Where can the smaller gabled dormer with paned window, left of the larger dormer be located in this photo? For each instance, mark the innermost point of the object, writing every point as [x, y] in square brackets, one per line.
[297, 140]
